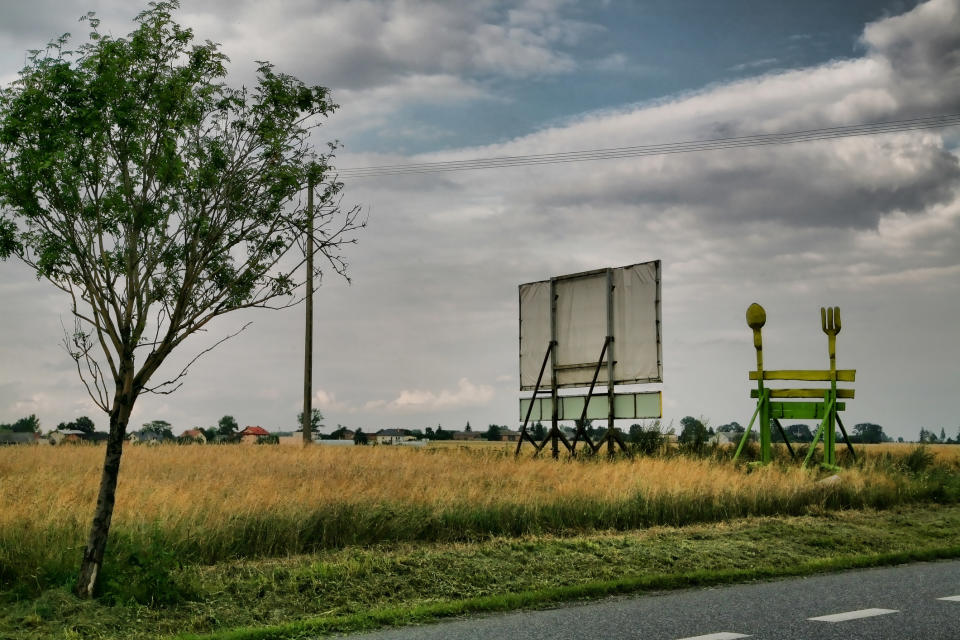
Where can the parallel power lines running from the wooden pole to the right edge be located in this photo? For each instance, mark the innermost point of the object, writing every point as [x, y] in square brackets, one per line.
[690, 146]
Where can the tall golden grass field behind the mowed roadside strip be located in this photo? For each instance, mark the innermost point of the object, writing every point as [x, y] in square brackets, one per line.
[212, 502]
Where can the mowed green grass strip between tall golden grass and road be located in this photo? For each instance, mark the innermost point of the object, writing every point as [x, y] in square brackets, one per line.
[366, 587]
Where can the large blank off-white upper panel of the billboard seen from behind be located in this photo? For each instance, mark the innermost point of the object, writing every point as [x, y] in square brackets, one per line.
[582, 302]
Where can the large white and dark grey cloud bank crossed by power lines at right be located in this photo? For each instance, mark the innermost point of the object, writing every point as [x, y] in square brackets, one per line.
[849, 183]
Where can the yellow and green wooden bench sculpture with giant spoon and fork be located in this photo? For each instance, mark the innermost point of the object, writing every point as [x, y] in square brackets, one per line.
[821, 404]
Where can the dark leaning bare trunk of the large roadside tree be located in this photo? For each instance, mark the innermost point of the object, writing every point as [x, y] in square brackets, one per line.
[97, 541]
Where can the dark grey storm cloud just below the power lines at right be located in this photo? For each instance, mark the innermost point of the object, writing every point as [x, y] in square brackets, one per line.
[813, 185]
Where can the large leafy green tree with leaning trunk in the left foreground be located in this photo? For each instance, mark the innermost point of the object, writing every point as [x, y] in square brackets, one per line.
[158, 199]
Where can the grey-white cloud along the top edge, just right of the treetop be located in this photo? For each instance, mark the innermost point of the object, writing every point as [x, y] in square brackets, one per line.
[363, 44]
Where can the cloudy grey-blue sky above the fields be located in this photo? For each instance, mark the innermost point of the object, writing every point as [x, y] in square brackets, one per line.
[426, 332]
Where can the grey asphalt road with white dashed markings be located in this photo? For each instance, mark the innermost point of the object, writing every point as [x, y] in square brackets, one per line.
[891, 603]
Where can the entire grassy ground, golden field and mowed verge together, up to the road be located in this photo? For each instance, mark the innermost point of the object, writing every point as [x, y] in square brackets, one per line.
[210, 538]
